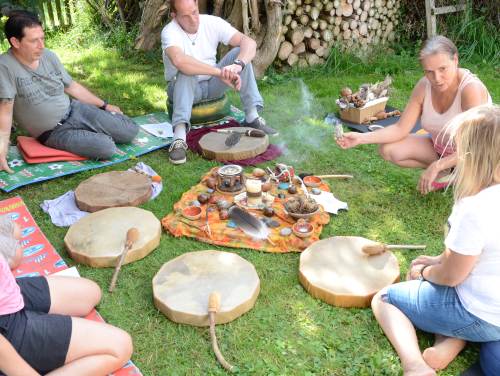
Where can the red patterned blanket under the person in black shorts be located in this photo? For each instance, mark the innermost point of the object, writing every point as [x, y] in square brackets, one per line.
[40, 257]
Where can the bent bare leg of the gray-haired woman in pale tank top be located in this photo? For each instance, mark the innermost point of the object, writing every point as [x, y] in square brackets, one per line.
[413, 151]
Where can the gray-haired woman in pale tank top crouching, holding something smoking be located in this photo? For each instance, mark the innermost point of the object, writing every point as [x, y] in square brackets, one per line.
[445, 91]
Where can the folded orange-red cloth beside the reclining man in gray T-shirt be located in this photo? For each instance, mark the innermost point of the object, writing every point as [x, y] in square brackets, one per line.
[34, 152]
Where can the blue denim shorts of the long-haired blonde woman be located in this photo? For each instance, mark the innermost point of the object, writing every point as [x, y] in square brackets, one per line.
[437, 309]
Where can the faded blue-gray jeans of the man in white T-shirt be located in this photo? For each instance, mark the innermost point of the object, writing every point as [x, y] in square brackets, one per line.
[184, 91]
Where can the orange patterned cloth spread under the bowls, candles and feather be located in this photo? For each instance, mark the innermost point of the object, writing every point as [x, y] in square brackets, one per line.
[225, 233]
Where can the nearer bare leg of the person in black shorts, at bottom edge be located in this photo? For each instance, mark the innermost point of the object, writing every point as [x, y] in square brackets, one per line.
[95, 349]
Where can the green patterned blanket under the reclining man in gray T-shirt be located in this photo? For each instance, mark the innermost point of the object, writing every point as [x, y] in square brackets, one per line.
[25, 174]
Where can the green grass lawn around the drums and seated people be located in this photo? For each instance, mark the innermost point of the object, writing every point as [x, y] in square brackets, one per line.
[287, 332]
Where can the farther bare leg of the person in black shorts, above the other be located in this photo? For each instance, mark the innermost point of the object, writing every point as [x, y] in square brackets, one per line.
[73, 296]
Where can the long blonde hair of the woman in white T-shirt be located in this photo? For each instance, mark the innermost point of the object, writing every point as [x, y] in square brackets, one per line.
[476, 133]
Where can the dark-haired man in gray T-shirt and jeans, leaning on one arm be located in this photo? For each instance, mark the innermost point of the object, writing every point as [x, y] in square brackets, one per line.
[34, 94]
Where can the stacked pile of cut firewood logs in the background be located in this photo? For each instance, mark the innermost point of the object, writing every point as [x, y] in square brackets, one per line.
[311, 27]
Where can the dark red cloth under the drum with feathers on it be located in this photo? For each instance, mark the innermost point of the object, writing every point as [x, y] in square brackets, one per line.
[194, 136]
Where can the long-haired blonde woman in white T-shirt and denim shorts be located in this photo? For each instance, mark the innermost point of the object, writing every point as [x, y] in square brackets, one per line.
[455, 295]
